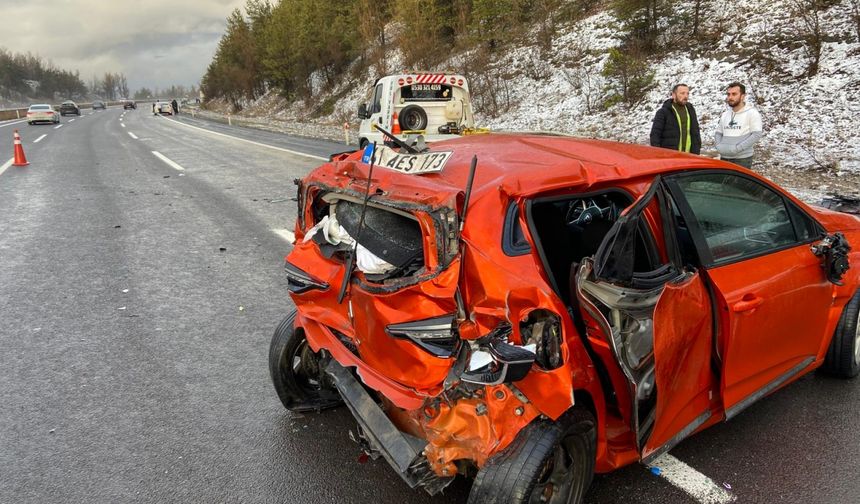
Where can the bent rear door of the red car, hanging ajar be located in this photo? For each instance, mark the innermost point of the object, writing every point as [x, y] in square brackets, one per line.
[658, 323]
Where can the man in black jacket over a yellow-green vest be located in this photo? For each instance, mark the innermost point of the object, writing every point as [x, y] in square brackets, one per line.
[675, 125]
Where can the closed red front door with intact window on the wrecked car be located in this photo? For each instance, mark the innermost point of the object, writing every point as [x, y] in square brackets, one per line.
[772, 294]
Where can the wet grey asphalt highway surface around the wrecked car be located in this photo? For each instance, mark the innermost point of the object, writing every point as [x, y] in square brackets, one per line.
[140, 284]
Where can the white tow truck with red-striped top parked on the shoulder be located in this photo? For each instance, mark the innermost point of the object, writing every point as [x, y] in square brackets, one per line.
[435, 105]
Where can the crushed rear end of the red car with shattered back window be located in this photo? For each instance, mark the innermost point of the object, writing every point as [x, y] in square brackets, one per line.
[460, 343]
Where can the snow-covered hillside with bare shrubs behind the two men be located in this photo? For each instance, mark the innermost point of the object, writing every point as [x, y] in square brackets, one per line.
[812, 124]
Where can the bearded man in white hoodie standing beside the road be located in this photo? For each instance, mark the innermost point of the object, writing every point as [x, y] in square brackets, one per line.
[739, 128]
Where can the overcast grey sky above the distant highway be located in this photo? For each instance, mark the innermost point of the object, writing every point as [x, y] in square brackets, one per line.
[153, 42]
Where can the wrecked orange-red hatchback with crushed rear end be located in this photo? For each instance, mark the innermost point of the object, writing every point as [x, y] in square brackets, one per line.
[530, 309]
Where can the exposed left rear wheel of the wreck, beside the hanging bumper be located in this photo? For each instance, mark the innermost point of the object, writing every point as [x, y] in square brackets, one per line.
[295, 369]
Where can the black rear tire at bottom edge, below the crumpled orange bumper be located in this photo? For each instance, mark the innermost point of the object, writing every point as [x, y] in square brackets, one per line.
[553, 460]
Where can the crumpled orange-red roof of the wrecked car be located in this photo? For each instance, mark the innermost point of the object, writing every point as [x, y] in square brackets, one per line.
[523, 164]
